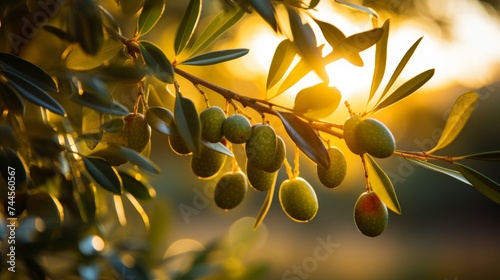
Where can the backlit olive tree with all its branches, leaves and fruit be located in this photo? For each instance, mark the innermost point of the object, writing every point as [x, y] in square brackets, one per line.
[77, 131]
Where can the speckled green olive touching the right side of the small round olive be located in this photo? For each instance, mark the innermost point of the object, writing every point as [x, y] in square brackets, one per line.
[261, 147]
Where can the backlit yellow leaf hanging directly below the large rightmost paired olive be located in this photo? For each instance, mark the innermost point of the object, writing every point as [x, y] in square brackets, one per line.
[382, 185]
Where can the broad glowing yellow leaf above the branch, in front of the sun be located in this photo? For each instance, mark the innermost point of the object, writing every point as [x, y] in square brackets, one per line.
[318, 101]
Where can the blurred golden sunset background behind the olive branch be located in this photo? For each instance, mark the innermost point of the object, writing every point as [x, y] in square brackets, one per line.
[447, 229]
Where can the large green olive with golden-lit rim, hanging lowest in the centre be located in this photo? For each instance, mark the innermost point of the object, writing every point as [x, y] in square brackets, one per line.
[298, 199]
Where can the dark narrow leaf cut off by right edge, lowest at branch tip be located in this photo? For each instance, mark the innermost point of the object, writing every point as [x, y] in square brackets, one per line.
[483, 184]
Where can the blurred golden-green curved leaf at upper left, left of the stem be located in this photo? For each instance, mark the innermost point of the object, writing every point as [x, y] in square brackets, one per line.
[79, 60]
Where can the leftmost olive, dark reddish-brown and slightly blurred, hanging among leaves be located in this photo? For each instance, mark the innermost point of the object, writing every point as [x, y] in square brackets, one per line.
[137, 132]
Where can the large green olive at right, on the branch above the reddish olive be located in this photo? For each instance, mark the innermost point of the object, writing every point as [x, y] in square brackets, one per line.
[375, 138]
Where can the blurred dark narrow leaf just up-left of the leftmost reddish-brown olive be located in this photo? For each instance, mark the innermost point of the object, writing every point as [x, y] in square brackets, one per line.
[97, 102]
